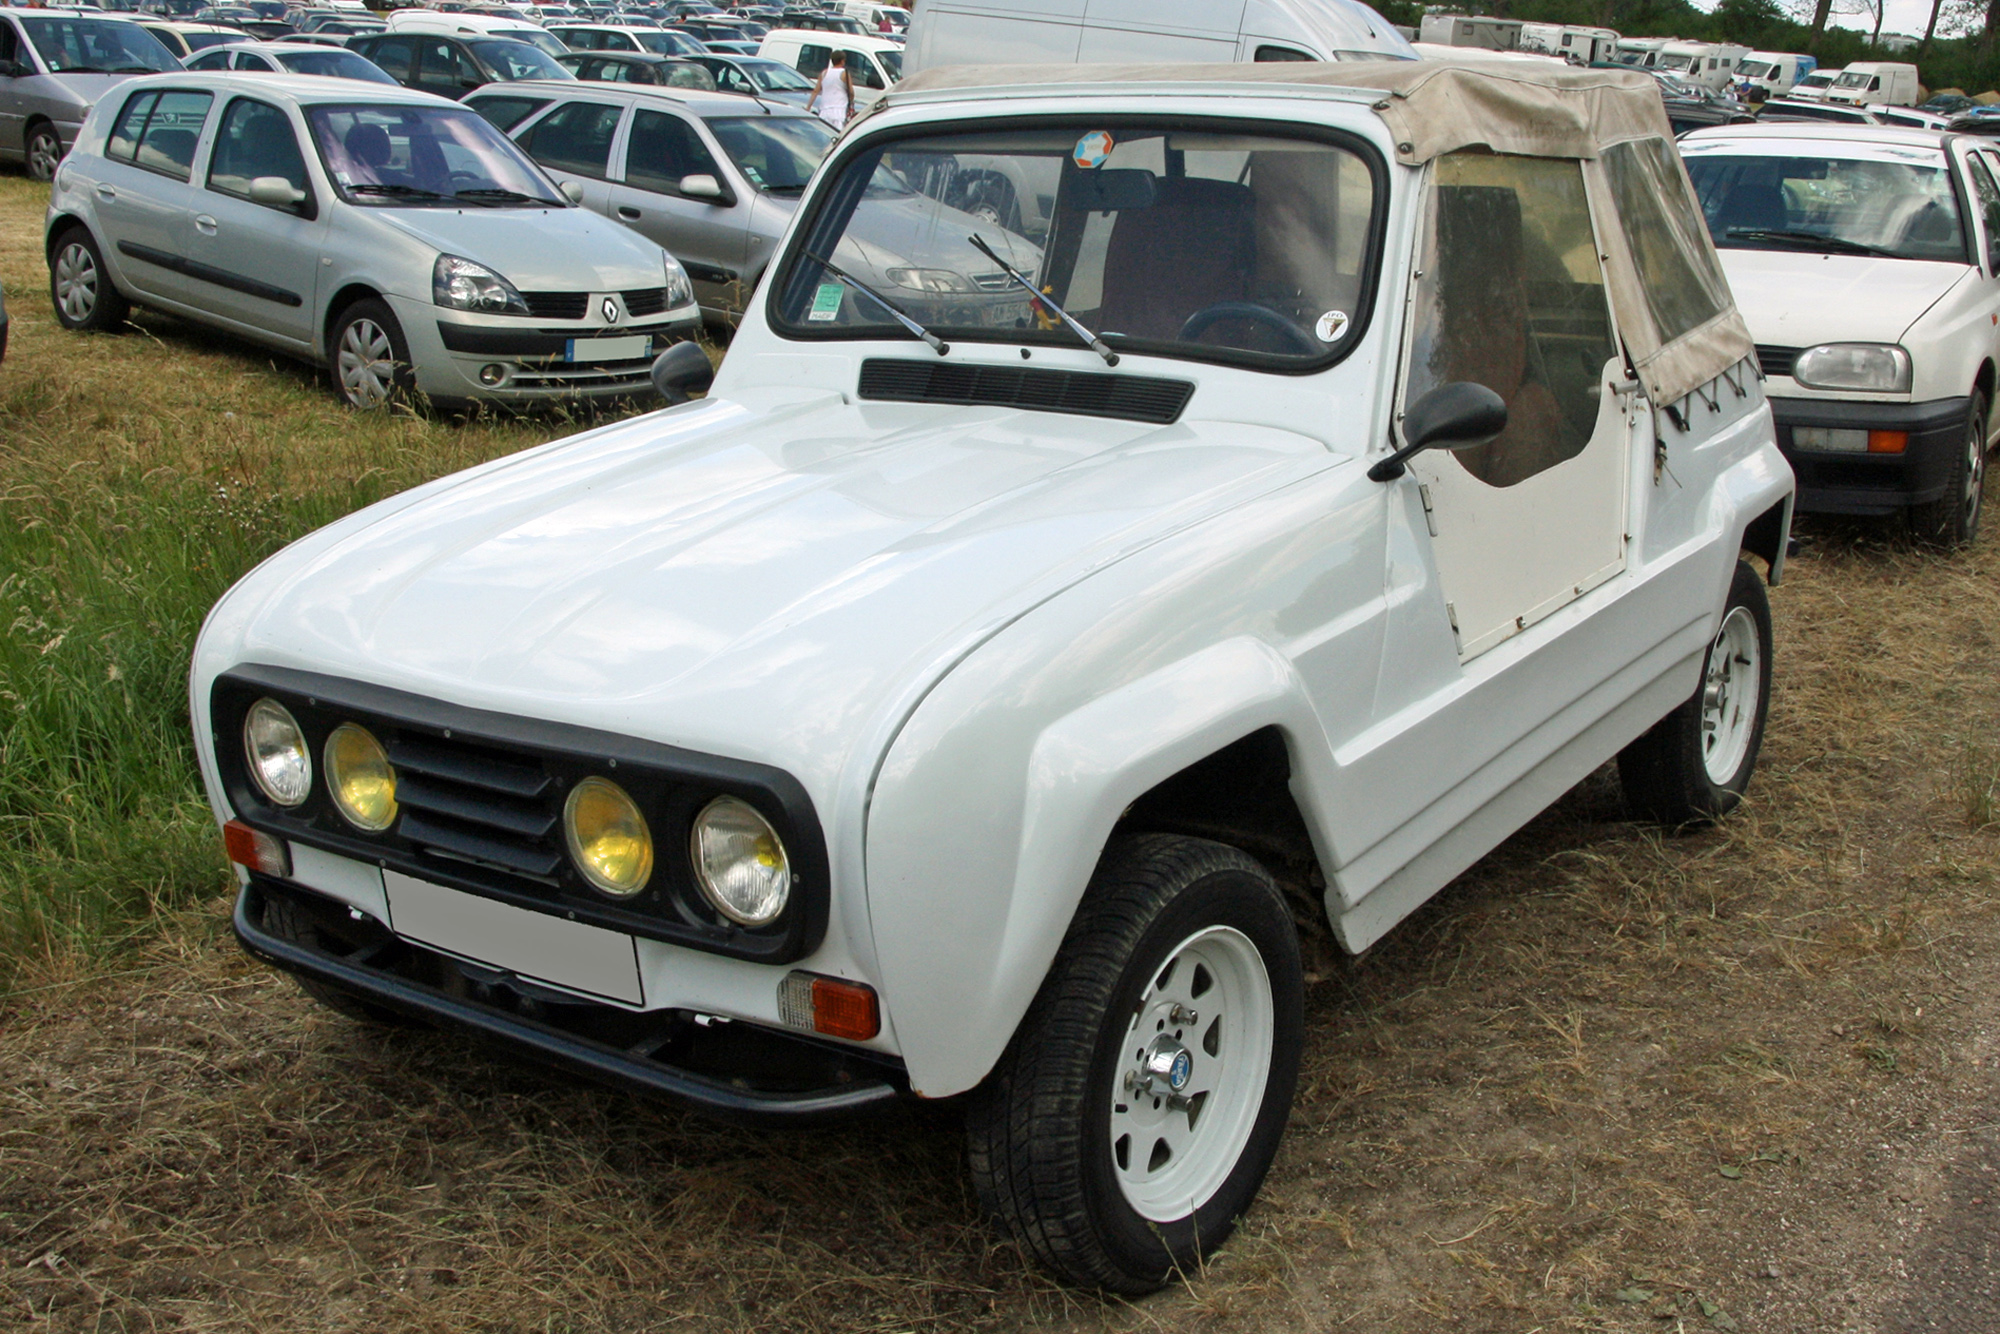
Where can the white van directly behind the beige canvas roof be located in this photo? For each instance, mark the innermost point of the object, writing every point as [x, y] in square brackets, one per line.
[1147, 31]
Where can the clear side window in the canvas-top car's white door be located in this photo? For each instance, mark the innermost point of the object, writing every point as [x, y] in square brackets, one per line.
[1513, 297]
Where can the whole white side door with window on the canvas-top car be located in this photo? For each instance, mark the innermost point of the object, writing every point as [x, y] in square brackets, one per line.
[1513, 297]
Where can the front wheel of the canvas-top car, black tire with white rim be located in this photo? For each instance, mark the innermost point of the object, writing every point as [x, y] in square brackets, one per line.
[1043, 1139]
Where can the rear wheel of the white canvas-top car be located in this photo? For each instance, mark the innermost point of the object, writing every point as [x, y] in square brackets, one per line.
[1669, 773]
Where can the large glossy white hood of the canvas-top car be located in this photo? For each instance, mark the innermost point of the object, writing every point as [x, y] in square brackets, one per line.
[771, 585]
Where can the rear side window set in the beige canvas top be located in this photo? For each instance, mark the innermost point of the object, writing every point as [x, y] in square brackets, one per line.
[1683, 281]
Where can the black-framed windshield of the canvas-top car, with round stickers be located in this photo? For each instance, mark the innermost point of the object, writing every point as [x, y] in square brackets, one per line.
[1173, 241]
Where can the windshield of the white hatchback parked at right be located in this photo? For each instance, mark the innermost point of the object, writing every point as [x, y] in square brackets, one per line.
[1903, 211]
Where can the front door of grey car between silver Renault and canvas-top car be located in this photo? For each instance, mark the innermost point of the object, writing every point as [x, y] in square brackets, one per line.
[707, 235]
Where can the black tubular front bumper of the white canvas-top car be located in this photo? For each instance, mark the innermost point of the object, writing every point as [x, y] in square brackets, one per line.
[731, 1071]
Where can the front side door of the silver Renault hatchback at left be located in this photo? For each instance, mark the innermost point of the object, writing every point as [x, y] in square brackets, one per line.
[257, 265]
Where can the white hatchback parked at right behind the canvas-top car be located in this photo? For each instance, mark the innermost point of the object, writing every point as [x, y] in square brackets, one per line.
[1867, 263]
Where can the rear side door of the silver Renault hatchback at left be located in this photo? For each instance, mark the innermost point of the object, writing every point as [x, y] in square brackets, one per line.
[143, 197]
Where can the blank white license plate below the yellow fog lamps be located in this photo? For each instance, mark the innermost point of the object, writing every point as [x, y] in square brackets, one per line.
[533, 945]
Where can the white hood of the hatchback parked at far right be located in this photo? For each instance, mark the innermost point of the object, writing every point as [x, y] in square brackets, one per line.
[1797, 299]
